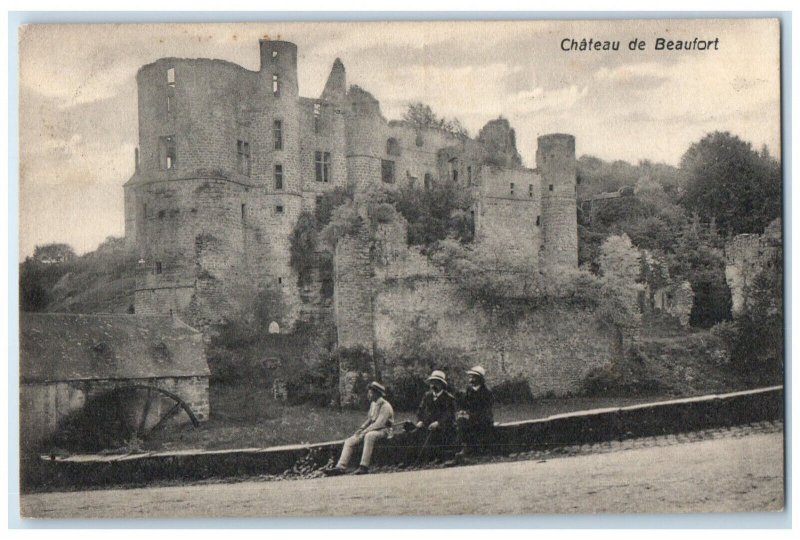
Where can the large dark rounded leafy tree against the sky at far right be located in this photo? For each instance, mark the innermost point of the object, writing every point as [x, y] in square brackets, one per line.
[729, 182]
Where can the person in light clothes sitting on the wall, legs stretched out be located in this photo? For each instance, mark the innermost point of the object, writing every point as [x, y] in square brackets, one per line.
[377, 426]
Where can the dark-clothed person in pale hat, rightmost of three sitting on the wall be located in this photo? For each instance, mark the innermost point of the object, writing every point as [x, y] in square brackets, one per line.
[474, 419]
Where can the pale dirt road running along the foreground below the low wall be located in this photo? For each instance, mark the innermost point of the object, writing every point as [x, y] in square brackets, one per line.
[731, 473]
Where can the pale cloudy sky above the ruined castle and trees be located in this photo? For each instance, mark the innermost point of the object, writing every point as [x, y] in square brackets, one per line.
[78, 97]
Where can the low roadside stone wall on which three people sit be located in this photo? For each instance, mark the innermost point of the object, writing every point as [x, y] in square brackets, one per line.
[676, 416]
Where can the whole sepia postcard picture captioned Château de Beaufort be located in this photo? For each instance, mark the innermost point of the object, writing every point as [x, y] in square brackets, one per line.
[432, 268]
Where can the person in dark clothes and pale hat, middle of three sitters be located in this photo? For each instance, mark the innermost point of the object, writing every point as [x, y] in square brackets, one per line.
[435, 418]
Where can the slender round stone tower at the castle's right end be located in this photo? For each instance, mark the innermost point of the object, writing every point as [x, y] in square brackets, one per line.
[555, 161]
